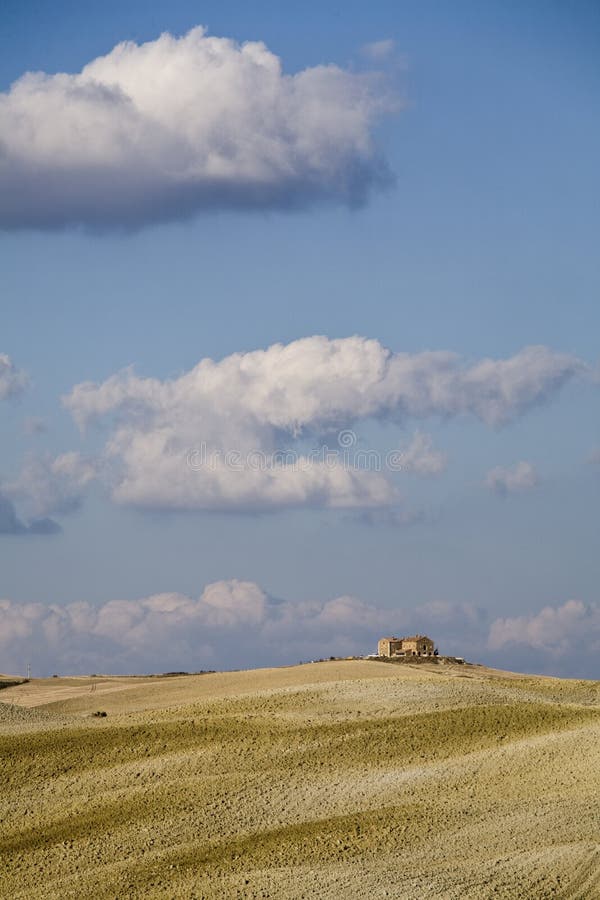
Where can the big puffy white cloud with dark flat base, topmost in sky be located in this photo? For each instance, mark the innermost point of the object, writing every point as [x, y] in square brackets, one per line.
[178, 125]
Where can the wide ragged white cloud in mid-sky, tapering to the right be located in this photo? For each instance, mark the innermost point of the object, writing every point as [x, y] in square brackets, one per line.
[206, 439]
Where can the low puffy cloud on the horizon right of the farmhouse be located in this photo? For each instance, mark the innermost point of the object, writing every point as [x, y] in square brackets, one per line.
[570, 629]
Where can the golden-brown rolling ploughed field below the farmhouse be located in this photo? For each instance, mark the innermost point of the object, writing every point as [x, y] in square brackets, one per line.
[354, 779]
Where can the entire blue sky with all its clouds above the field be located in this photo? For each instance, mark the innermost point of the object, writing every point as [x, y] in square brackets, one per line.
[299, 333]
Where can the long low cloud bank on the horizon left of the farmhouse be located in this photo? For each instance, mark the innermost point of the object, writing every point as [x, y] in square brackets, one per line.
[172, 631]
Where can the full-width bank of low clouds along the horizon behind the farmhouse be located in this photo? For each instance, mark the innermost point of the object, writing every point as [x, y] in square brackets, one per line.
[174, 632]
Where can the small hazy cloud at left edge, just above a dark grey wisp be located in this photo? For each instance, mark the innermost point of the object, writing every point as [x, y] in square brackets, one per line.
[52, 486]
